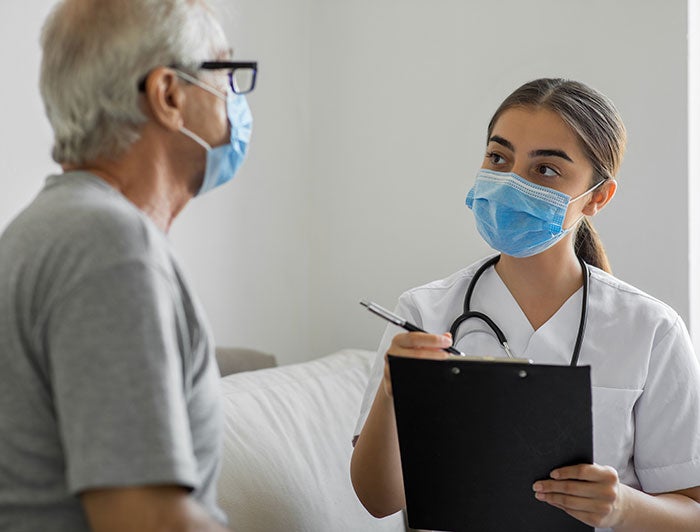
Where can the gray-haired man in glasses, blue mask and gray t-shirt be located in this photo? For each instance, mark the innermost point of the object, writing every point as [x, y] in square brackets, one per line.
[109, 409]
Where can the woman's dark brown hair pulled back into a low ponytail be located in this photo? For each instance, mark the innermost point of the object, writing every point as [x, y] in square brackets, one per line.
[598, 125]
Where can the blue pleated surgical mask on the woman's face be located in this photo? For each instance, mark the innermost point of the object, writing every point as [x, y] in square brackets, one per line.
[517, 217]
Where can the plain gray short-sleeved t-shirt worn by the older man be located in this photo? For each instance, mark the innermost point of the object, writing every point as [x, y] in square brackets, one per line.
[107, 376]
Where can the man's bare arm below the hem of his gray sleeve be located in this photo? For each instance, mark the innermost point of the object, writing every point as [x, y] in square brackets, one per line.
[146, 509]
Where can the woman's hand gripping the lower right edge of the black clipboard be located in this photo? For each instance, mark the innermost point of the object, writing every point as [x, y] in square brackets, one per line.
[589, 492]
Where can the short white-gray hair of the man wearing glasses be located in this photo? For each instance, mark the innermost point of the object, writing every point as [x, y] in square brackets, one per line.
[96, 52]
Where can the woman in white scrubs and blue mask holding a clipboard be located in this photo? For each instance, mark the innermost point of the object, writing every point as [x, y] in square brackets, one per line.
[553, 150]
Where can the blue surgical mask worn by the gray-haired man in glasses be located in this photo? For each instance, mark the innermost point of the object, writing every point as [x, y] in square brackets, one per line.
[223, 161]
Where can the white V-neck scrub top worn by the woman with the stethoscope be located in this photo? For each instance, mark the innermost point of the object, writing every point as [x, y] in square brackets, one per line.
[645, 375]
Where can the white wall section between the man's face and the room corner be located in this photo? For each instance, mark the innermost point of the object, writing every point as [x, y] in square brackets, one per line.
[246, 245]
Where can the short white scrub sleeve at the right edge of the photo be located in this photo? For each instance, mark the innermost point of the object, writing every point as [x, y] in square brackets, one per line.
[667, 414]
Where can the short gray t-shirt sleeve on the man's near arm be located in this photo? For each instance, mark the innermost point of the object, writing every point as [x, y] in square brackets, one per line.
[115, 348]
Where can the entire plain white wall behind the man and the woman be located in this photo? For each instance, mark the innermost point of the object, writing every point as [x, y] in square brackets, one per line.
[370, 118]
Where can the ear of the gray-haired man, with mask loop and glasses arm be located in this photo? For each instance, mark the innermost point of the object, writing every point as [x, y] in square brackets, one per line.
[164, 98]
